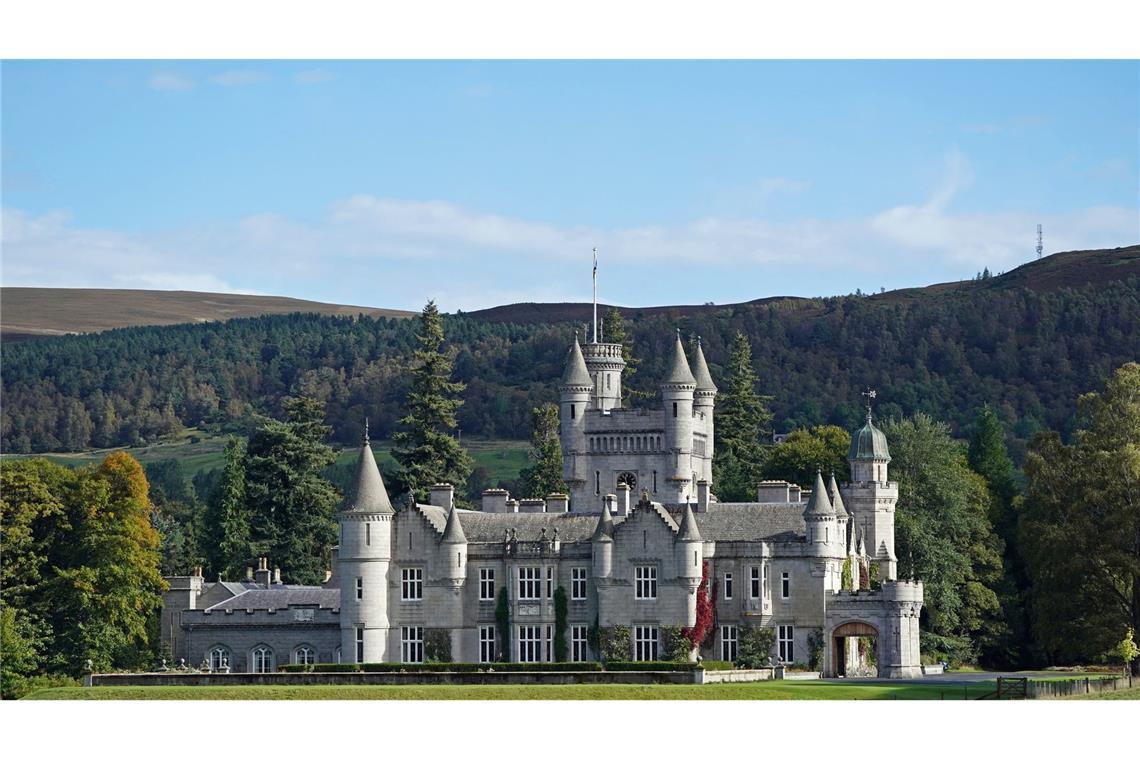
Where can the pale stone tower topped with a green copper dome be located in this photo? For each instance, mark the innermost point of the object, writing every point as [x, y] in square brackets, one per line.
[873, 497]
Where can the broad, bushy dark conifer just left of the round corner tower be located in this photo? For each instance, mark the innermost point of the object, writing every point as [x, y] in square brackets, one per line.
[292, 505]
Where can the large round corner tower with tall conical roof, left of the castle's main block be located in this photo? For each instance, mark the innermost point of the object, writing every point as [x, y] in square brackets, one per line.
[364, 558]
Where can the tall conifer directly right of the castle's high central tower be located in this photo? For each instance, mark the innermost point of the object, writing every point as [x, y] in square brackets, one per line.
[743, 420]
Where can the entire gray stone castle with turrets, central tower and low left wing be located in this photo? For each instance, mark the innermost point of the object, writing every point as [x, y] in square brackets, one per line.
[629, 546]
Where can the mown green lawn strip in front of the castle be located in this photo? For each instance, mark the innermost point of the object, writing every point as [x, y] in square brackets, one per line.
[759, 691]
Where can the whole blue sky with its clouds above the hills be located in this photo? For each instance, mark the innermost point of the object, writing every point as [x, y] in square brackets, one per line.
[478, 183]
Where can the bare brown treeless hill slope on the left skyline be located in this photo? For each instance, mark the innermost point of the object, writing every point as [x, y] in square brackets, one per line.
[44, 312]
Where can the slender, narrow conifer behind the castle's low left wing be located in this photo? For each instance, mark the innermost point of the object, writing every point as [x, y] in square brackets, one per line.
[230, 517]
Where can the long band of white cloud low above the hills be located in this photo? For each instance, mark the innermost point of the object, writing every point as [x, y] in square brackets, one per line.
[395, 252]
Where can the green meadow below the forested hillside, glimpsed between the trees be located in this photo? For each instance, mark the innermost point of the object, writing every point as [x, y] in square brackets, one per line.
[503, 460]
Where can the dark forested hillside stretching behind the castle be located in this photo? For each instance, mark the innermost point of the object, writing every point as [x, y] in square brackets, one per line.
[1024, 348]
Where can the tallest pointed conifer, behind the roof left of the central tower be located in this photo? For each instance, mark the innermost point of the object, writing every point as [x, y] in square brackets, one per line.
[426, 451]
